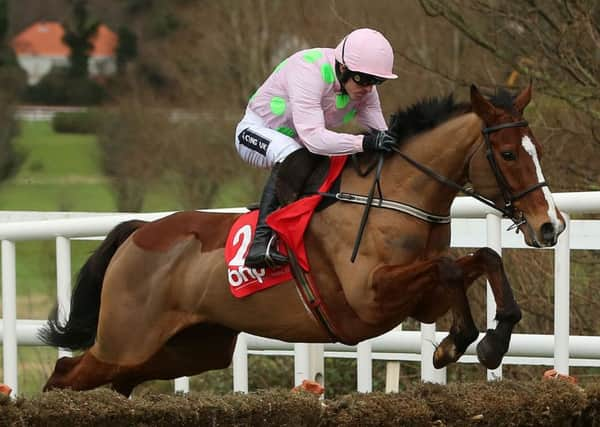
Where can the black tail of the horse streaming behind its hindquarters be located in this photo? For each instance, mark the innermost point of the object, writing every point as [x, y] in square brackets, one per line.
[80, 330]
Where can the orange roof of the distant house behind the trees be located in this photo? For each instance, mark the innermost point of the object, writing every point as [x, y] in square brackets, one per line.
[45, 39]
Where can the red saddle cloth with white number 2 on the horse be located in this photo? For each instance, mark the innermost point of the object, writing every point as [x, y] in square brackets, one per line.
[290, 223]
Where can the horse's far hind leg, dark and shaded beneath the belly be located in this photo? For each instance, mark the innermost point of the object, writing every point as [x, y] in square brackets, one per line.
[194, 350]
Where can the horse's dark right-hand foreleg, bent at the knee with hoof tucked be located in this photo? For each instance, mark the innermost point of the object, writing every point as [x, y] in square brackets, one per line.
[494, 345]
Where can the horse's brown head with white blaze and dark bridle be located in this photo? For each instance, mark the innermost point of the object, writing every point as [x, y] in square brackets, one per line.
[506, 168]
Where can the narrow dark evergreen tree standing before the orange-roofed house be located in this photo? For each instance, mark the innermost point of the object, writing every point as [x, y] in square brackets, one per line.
[78, 34]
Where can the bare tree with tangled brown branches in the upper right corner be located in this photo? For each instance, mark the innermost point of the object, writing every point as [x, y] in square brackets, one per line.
[555, 43]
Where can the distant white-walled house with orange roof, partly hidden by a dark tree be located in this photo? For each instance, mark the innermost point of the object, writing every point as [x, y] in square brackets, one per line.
[39, 48]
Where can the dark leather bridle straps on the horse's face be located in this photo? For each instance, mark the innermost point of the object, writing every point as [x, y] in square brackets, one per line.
[508, 210]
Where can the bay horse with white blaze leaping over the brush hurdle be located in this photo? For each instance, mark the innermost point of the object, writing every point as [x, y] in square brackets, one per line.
[152, 302]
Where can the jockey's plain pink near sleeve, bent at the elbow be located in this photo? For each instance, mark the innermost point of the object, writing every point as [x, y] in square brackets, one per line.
[306, 88]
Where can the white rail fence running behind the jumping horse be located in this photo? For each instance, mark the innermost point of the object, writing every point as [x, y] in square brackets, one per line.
[473, 225]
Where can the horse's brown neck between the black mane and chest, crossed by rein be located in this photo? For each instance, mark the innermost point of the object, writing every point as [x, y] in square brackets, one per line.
[446, 150]
